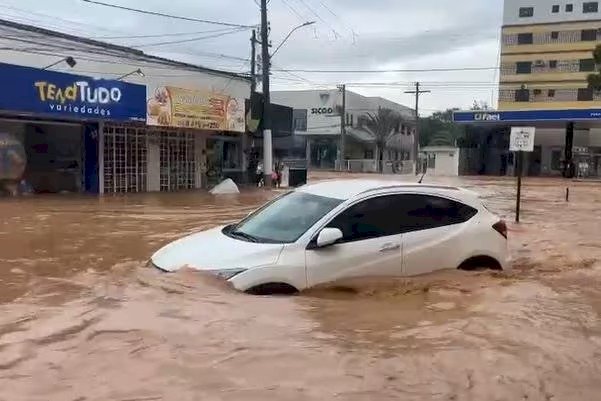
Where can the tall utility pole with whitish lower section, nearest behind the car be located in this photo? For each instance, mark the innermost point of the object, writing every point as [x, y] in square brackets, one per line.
[266, 59]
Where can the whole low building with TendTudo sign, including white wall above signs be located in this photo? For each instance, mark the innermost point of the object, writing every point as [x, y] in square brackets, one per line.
[176, 125]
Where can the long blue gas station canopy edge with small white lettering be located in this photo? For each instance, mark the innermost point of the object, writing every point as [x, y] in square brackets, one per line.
[527, 116]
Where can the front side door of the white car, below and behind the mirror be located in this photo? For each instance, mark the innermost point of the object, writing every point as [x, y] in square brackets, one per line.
[371, 244]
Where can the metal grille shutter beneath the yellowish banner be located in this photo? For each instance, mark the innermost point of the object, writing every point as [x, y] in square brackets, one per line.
[178, 165]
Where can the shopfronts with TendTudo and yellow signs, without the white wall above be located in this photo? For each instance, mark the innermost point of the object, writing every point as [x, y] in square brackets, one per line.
[81, 134]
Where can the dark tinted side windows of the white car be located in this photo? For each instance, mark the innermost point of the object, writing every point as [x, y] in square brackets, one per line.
[396, 214]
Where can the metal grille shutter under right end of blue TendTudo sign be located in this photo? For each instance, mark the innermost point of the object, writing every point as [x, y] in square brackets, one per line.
[125, 159]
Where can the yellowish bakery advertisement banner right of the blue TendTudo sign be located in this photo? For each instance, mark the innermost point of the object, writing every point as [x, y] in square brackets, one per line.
[170, 106]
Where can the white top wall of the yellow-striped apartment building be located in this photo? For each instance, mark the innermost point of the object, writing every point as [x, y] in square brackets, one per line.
[543, 14]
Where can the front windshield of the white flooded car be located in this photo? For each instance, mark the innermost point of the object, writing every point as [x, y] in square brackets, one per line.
[284, 220]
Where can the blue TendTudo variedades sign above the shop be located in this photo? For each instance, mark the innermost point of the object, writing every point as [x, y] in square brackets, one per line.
[60, 95]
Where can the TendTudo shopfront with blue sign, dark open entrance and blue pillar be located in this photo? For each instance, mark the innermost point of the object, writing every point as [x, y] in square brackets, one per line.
[55, 118]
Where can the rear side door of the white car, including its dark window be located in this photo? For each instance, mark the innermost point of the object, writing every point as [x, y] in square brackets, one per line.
[434, 233]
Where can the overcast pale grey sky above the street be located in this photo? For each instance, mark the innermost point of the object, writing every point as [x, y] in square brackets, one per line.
[348, 34]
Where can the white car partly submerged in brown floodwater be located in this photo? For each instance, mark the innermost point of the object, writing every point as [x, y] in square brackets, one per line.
[323, 232]
